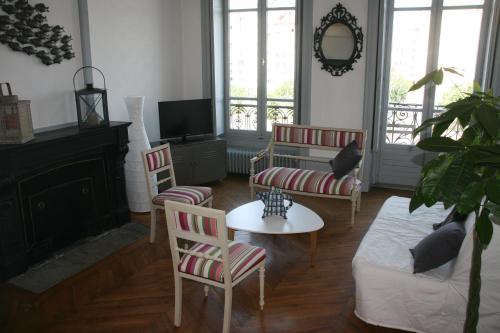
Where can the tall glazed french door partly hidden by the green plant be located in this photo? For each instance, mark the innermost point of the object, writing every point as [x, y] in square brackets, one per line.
[422, 35]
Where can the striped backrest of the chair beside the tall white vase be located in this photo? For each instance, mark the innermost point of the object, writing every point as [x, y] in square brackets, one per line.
[158, 160]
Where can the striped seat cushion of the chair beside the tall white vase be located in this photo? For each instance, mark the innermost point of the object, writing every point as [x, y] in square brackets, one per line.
[193, 195]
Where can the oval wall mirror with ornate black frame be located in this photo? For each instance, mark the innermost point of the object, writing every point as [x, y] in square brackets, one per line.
[338, 41]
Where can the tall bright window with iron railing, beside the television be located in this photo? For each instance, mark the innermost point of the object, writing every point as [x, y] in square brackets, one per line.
[261, 39]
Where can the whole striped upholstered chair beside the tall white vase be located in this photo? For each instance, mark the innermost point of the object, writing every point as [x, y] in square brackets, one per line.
[158, 160]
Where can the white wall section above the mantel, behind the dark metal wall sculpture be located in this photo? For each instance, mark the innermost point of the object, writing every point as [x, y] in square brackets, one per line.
[50, 88]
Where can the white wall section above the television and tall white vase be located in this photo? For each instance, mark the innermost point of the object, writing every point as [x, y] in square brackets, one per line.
[150, 48]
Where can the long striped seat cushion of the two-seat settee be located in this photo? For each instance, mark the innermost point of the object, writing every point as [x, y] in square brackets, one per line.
[310, 181]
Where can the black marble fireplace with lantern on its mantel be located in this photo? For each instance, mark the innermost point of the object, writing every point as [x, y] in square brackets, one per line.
[64, 185]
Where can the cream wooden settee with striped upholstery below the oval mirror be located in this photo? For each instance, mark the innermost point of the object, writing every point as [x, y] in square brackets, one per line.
[310, 182]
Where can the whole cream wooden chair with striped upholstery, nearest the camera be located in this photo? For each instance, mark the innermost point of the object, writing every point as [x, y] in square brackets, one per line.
[213, 259]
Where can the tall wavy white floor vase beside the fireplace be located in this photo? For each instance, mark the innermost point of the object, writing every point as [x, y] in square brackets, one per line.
[137, 189]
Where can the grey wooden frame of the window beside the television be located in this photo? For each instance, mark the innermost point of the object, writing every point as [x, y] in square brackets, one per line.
[261, 132]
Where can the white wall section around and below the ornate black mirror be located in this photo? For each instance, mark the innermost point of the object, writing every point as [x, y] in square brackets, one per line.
[338, 101]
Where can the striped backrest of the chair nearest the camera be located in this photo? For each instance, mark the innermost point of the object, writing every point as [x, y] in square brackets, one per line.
[198, 224]
